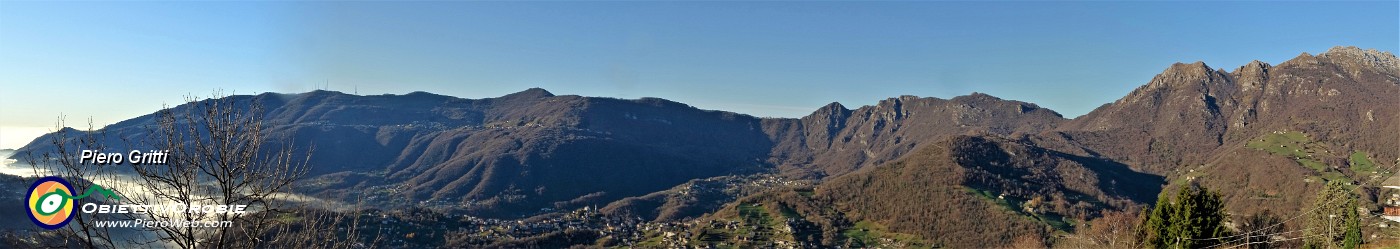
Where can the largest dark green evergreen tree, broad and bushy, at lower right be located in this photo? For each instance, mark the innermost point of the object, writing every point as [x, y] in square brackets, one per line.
[1193, 219]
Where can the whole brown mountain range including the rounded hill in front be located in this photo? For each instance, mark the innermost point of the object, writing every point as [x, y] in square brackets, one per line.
[533, 152]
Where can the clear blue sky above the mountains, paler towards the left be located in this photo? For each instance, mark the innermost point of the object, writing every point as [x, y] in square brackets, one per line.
[118, 61]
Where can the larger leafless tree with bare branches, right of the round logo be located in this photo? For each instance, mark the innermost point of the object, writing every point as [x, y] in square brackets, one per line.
[219, 156]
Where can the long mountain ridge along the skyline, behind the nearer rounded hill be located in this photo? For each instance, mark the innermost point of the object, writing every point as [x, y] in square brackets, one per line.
[530, 152]
